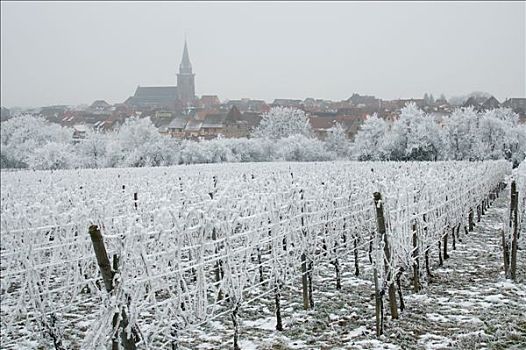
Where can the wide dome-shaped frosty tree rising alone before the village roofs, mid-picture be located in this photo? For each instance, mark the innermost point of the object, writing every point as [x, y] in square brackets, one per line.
[280, 122]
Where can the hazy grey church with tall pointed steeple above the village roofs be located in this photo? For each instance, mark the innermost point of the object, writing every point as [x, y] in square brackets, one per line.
[170, 98]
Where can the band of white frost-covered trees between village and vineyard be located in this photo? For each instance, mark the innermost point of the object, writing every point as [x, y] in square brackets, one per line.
[283, 135]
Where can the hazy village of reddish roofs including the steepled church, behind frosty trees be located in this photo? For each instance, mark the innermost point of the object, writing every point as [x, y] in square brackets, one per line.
[177, 112]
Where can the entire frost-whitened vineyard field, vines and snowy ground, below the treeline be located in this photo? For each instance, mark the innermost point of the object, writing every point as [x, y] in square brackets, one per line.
[196, 248]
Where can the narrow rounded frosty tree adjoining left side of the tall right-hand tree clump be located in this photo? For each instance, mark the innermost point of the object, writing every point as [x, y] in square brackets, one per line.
[368, 141]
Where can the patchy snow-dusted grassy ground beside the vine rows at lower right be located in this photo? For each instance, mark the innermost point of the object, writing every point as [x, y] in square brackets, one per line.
[467, 304]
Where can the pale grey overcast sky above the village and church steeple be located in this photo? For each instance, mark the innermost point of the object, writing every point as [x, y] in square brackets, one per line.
[72, 53]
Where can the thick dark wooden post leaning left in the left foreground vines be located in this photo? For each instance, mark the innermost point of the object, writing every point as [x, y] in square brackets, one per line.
[107, 273]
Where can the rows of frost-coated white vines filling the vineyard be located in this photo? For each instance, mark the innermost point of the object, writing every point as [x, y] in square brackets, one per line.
[154, 254]
